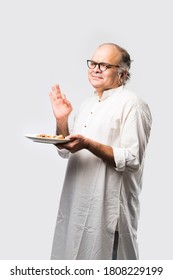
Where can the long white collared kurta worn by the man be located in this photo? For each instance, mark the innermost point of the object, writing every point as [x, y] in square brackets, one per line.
[98, 199]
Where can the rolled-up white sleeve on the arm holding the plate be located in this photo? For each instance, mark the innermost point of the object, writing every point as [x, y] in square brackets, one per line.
[134, 135]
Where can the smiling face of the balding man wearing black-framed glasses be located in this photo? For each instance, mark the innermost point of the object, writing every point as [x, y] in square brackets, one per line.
[104, 80]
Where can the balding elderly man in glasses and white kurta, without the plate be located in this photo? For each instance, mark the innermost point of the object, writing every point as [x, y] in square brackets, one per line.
[99, 206]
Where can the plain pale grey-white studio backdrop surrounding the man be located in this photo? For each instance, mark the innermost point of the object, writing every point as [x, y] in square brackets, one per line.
[45, 42]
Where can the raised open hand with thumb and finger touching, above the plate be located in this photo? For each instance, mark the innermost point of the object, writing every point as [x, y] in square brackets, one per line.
[60, 105]
